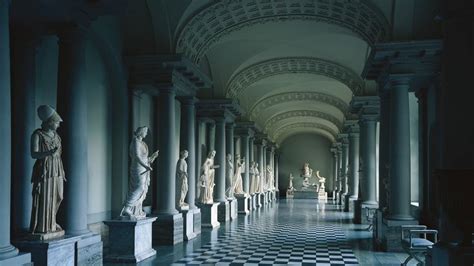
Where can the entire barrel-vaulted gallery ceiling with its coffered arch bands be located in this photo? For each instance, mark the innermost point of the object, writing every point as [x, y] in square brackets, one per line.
[293, 65]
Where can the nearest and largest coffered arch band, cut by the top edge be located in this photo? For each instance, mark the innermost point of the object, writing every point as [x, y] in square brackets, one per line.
[219, 18]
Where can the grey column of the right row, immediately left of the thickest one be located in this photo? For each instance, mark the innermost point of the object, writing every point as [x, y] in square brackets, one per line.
[368, 150]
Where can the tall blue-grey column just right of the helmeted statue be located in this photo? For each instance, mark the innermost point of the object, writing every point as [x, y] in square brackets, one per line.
[72, 105]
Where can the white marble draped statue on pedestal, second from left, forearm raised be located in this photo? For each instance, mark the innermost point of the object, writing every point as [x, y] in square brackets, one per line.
[140, 169]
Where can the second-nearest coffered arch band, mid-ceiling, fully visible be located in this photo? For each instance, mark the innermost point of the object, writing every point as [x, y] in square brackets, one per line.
[311, 65]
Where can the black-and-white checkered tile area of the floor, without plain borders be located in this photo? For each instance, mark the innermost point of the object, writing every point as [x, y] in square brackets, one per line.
[284, 237]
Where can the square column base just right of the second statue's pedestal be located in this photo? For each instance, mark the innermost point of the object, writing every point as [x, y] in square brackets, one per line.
[168, 229]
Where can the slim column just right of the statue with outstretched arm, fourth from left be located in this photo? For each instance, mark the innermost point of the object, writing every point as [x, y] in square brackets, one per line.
[219, 195]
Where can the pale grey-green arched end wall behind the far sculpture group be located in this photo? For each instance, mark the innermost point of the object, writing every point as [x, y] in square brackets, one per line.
[301, 148]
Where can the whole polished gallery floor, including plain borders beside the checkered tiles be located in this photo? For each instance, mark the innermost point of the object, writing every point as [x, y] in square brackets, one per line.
[291, 231]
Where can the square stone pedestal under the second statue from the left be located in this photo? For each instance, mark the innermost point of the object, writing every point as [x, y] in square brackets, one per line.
[130, 240]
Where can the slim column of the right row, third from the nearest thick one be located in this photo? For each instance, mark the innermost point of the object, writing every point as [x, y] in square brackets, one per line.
[353, 168]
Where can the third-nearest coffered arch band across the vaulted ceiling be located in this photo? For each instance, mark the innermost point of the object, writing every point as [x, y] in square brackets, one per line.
[285, 97]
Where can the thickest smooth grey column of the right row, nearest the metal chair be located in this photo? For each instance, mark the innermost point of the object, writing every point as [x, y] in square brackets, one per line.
[399, 151]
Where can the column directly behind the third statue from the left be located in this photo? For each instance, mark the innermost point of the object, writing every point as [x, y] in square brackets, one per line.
[188, 142]
